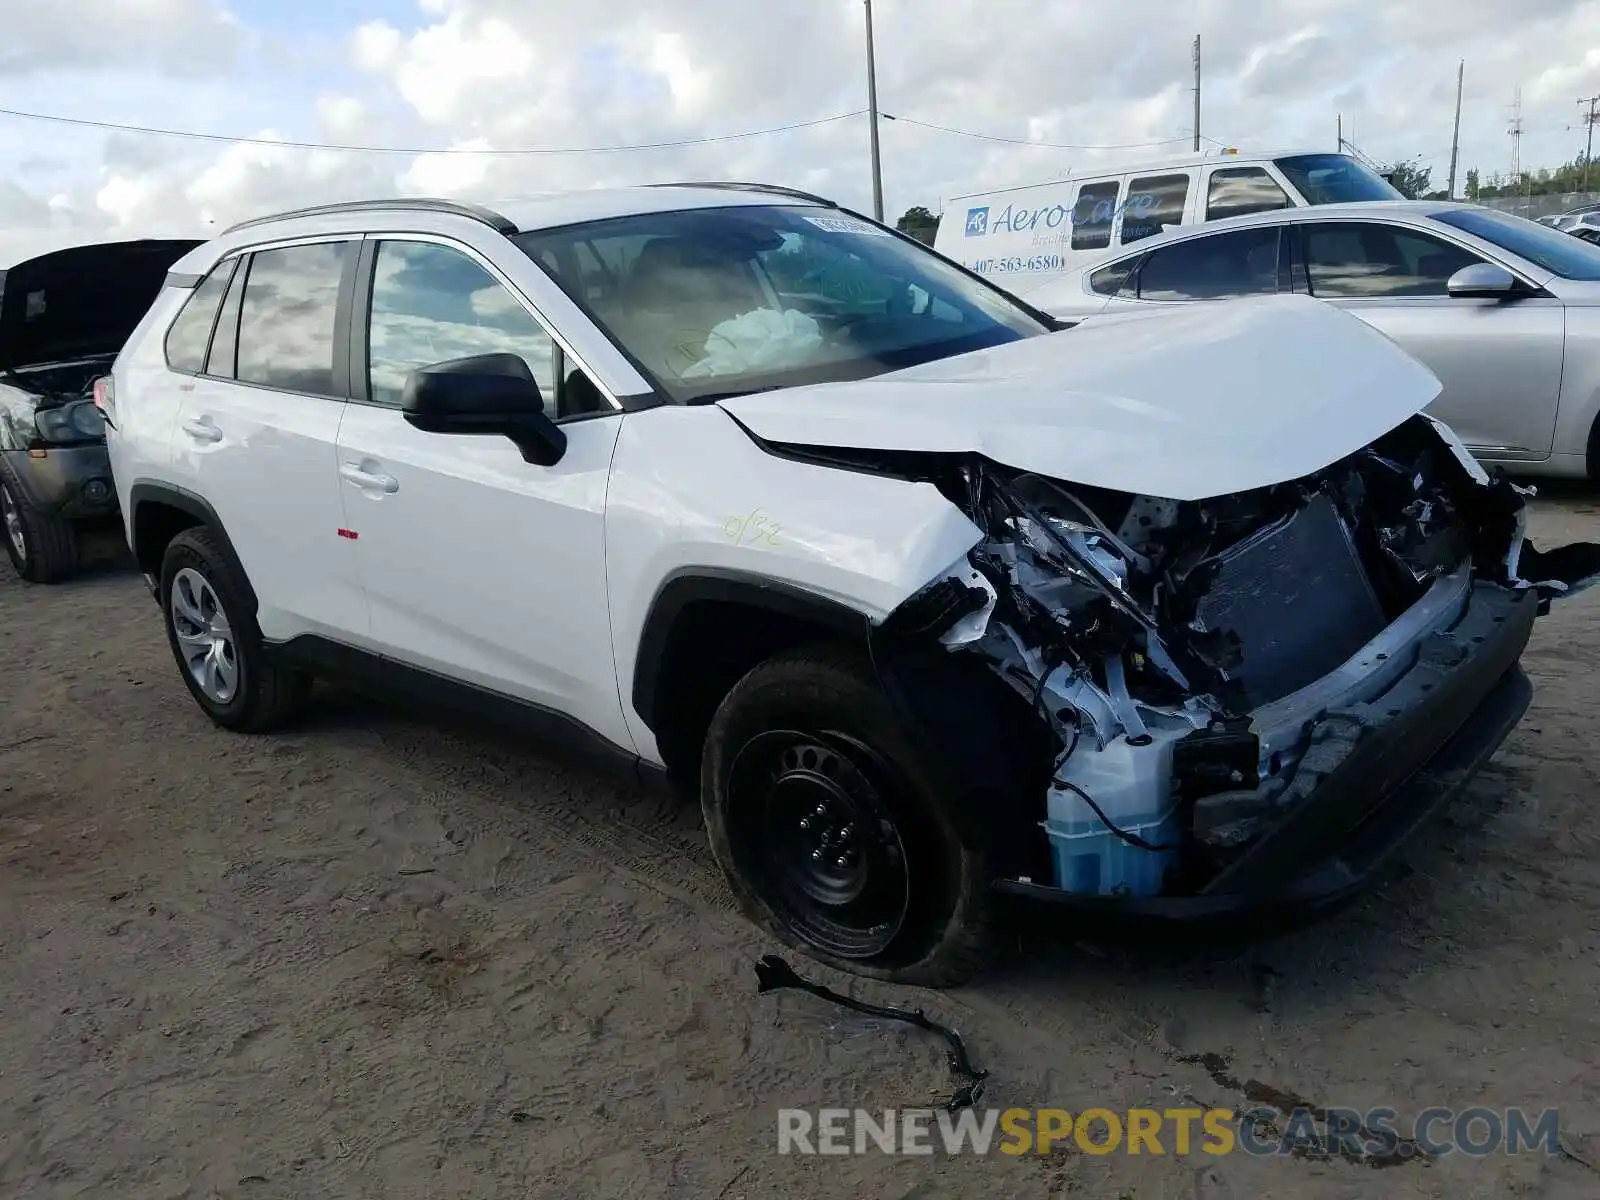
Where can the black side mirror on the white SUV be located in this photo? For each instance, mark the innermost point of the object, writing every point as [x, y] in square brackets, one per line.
[486, 394]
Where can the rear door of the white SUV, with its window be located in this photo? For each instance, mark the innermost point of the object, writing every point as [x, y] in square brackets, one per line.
[257, 434]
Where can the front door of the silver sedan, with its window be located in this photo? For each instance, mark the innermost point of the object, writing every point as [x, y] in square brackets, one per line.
[1500, 362]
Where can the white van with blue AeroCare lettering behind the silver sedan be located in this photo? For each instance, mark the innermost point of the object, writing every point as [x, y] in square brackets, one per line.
[1025, 236]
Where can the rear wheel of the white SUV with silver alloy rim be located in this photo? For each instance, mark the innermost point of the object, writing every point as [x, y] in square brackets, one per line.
[217, 642]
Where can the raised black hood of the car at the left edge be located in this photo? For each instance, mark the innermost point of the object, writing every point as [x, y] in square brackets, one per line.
[82, 302]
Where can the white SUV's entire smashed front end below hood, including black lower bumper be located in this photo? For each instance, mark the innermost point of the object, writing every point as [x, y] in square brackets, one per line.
[1190, 705]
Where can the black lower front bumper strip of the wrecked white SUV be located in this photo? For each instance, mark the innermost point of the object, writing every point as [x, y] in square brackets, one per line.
[1374, 775]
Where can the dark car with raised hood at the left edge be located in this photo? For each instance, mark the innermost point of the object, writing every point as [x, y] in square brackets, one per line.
[63, 319]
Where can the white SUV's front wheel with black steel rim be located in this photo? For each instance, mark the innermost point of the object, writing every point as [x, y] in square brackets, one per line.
[834, 834]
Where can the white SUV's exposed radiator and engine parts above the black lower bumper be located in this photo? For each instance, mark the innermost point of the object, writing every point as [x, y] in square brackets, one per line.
[1186, 655]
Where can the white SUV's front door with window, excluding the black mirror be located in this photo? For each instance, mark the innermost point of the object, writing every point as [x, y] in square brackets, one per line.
[476, 564]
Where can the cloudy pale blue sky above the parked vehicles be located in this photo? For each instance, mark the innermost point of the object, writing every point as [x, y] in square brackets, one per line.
[466, 76]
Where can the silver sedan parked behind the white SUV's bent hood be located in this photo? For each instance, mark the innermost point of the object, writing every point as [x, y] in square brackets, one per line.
[1505, 311]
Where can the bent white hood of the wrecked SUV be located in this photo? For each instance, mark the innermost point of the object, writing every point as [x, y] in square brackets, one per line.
[1183, 404]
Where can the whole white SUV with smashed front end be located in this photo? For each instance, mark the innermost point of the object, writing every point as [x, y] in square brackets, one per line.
[1186, 615]
